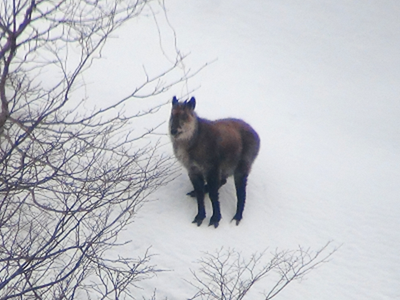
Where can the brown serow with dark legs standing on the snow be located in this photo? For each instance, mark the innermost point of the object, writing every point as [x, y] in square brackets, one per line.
[211, 151]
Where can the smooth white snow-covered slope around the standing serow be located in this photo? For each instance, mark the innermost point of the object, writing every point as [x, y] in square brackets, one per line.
[320, 82]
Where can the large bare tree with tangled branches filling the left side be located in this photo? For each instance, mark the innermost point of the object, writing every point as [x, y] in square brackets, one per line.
[71, 178]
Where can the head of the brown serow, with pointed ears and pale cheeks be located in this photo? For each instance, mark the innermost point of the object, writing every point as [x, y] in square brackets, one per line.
[183, 121]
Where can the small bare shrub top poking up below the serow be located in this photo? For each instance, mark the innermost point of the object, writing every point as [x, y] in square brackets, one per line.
[227, 275]
